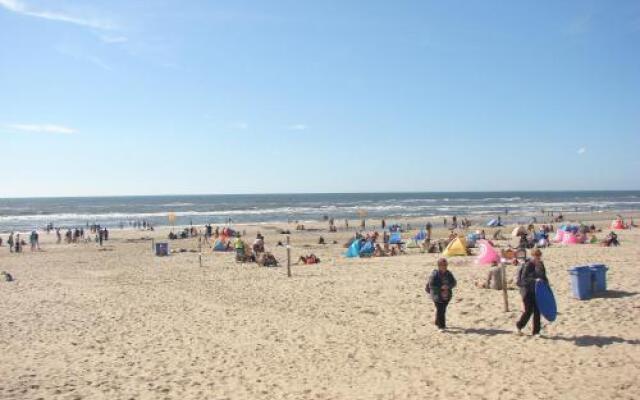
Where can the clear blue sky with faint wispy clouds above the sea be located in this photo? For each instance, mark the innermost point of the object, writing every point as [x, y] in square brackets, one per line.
[196, 97]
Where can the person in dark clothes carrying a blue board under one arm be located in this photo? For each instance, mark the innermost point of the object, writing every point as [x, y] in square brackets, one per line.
[532, 271]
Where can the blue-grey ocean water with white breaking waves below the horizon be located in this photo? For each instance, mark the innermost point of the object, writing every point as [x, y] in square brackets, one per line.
[28, 213]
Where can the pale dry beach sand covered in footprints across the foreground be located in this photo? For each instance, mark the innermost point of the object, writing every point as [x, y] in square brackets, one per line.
[81, 322]
